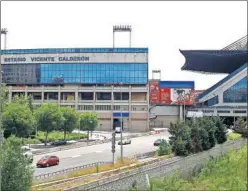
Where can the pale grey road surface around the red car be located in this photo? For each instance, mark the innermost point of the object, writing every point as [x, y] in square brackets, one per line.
[99, 153]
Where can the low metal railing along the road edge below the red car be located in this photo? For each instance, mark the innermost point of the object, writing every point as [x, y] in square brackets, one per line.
[47, 175]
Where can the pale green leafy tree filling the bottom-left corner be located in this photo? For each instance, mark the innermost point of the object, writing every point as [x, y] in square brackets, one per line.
[16, 169]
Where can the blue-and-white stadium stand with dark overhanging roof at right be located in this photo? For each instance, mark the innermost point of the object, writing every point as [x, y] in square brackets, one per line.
[228, 97]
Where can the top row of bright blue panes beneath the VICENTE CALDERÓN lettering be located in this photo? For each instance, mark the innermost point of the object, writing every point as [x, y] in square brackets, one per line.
[93, 66]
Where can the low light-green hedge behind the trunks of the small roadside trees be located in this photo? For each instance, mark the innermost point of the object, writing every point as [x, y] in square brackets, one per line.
[57, 135]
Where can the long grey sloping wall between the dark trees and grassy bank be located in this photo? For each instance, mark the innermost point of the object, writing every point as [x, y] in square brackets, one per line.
[186, 165]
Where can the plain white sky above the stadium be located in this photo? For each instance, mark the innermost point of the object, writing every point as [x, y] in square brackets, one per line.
[163, 27]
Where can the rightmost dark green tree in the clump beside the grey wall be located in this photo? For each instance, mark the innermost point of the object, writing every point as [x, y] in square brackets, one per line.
[221, 130]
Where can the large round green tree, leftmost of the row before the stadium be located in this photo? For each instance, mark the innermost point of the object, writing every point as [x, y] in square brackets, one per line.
[18, 119]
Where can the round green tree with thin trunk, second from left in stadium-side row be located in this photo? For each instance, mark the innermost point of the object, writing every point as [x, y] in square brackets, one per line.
[49, 118]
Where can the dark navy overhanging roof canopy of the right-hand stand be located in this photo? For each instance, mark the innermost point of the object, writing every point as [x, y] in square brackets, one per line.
[214, 61]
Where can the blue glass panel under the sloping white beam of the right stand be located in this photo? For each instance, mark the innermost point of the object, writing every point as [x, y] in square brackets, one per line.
[237, 93]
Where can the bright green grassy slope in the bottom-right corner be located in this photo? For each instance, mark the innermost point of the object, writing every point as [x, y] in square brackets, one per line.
[222, 173]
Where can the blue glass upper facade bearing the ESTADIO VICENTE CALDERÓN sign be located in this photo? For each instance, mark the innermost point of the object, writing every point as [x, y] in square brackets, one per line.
[75, 66]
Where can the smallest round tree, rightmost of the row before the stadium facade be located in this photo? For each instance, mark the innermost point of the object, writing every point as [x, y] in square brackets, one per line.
[88, 122]
